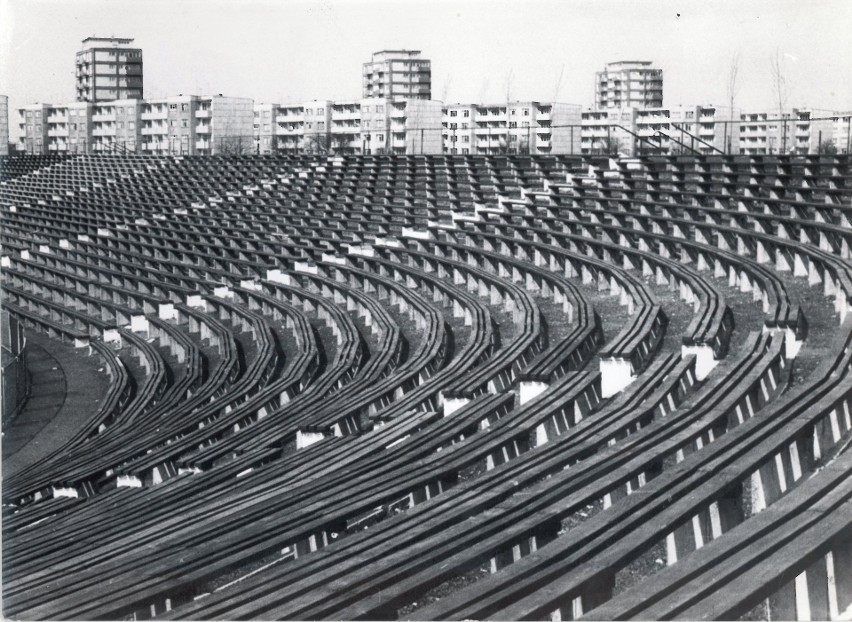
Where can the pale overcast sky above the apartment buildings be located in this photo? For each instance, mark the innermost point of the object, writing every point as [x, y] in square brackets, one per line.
[288, 51]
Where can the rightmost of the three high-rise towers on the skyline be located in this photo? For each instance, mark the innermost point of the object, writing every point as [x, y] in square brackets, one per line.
[629, 84]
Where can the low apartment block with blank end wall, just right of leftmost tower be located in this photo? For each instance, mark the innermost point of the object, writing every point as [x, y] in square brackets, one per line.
[196, 125]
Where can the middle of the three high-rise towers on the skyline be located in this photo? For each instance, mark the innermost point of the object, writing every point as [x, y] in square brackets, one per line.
[398, 74]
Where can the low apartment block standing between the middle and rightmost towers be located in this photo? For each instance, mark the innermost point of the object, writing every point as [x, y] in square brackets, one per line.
[513, 127]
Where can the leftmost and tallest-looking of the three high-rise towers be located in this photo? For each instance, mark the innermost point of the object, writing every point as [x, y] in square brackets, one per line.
[108, 68]
